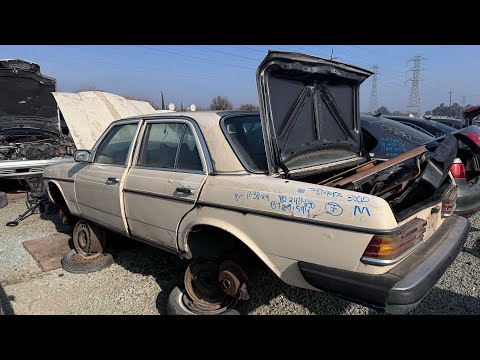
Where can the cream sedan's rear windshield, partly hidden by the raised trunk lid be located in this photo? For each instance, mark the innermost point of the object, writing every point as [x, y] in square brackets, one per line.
[245, 135]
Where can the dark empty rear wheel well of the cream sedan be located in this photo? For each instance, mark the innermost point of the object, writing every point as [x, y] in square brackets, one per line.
[211, 241]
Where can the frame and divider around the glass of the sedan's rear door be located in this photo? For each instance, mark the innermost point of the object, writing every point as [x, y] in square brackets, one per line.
[143, 138]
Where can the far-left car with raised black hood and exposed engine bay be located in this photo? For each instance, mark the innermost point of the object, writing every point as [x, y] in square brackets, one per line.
[32, 133]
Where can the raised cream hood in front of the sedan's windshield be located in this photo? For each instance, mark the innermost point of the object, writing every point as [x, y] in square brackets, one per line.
[89, 113]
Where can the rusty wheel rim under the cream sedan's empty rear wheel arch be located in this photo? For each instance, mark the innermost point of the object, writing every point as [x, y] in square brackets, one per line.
[204, 294]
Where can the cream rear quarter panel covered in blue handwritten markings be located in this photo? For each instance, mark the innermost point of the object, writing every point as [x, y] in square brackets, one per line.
[288, 219]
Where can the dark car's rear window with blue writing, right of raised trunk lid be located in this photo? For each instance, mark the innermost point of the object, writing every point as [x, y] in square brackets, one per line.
[384, 138]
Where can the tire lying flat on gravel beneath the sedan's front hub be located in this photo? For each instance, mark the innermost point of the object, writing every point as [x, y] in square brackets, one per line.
[71, 262]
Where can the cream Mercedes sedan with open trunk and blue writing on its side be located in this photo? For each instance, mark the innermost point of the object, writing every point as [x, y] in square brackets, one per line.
[292, 184]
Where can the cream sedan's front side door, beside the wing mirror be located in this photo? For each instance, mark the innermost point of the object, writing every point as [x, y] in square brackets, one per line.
[97, 184]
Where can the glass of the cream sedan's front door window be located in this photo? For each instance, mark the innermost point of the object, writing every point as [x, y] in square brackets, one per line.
[115, 146]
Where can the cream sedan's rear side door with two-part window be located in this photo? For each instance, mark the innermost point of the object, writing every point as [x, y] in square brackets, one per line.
[164, 181]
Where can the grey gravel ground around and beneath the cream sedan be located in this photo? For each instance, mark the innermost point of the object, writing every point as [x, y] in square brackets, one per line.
[142, 277]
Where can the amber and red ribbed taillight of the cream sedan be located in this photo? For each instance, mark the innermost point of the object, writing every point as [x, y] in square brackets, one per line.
[388, 249]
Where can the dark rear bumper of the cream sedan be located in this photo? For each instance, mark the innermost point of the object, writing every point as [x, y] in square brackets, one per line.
[400, 289]
